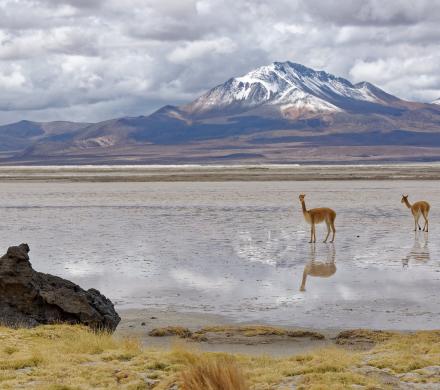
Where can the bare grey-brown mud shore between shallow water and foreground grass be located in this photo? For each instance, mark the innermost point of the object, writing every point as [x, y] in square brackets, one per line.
[138, 323]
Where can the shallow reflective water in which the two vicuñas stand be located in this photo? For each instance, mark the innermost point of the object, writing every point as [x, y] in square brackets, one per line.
[237, 248]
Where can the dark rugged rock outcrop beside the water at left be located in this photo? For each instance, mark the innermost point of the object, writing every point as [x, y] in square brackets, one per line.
[30, 298]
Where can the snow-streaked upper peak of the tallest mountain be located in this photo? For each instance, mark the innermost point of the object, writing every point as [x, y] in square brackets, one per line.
[292, 87]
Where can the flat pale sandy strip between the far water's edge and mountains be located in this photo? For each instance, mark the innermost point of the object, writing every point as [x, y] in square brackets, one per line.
[422, 171]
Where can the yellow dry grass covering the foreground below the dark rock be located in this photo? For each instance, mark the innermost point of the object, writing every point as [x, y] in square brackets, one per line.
[62, 357]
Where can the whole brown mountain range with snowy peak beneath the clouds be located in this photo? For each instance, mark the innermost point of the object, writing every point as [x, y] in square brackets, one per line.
[280, 113]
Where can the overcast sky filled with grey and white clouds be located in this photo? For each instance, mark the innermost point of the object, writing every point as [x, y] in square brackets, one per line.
[90, 60]
